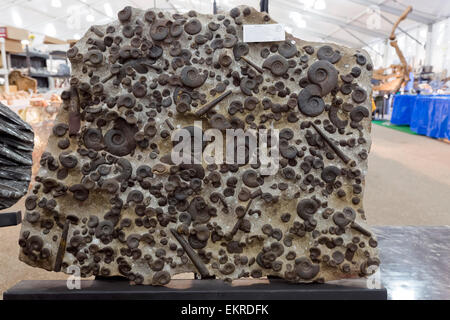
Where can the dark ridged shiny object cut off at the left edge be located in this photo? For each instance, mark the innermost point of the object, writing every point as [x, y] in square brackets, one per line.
[16, 149]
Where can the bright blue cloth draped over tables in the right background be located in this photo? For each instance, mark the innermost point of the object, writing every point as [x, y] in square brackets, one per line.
[425, 114]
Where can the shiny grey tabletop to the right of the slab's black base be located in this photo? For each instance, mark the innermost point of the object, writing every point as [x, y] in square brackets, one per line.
[415, 262]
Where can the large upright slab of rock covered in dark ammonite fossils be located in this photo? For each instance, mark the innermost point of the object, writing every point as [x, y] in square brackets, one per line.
[108, 200]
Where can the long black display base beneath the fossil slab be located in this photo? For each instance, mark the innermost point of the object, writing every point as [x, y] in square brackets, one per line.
[274, 289]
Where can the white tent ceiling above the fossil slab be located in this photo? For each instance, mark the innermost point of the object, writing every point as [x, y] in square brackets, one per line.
[349, 22]
